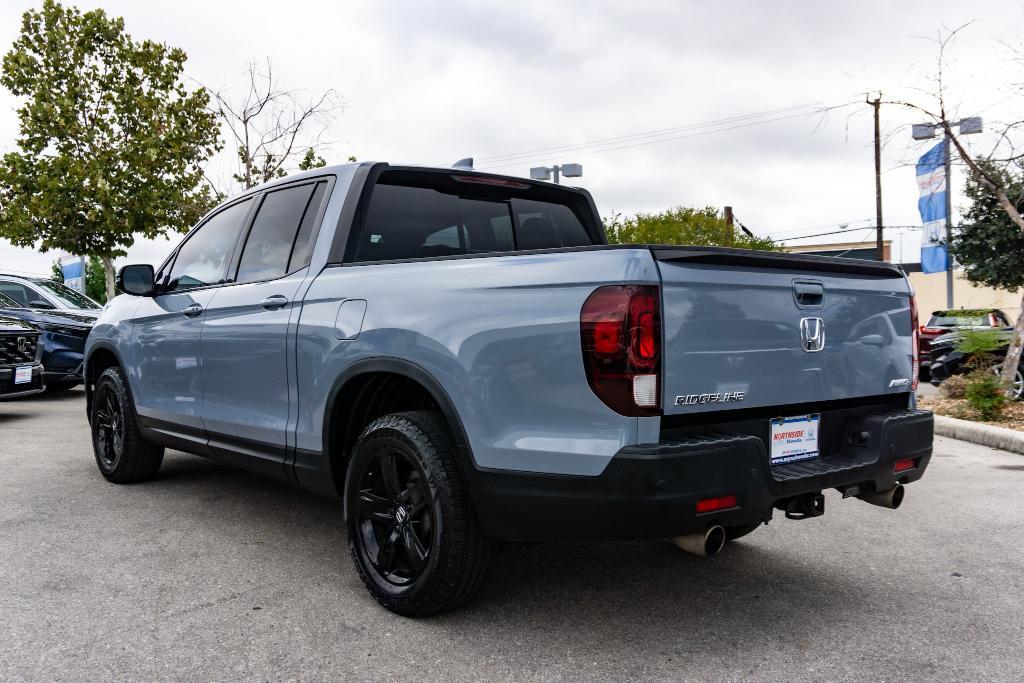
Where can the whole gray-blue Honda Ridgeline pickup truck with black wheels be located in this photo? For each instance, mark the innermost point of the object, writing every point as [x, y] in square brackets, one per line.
[461, 359]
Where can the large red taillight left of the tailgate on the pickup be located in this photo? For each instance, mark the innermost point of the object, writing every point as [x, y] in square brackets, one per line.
[621, 334]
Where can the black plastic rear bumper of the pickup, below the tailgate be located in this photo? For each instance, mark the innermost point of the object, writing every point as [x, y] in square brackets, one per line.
[652, 491]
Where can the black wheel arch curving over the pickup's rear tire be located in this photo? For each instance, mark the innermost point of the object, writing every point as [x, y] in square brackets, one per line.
[373, 388]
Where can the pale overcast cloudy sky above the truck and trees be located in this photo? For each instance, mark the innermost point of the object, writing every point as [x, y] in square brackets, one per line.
[432, 82]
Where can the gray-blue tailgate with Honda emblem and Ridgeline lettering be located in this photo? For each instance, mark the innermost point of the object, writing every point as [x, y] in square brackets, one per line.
[745, 330]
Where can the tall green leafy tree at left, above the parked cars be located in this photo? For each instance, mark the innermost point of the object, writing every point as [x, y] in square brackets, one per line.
[111, 142]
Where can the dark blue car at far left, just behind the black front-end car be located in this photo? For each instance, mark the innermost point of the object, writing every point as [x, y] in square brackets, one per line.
[63, 335]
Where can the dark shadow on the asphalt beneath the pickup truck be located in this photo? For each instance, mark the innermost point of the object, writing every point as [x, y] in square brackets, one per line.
[554, 599]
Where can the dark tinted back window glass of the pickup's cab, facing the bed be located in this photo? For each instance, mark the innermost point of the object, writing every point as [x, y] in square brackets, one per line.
[408, 222]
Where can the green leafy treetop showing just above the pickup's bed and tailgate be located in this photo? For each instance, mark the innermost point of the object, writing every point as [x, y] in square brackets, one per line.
[682, 226]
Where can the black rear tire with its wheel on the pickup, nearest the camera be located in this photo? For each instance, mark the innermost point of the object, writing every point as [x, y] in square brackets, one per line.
[412, 530]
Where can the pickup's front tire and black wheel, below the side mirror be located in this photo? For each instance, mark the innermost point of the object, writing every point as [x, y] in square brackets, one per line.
[122, 455]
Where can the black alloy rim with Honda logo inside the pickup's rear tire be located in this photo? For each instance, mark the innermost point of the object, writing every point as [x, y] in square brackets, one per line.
[396, 518]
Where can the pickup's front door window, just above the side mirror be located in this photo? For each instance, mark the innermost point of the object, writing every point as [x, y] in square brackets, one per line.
[202, 261]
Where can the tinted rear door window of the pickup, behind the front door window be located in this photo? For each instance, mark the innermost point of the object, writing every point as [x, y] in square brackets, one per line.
[283, 225]
